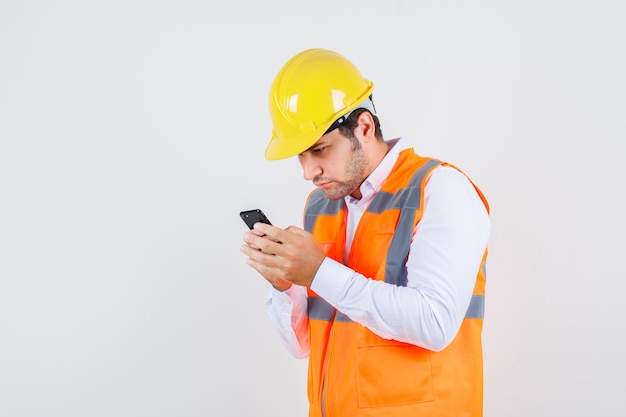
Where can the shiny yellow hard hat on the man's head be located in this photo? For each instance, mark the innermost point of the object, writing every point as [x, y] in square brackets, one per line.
[311, 91]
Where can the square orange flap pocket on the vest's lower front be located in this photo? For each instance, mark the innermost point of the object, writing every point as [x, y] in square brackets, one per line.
[393, 374]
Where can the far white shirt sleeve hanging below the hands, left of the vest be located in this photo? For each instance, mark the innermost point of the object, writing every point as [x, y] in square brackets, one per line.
[288, 314]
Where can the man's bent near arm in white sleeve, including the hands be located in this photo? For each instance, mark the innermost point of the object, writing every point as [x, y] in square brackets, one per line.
[445, 254]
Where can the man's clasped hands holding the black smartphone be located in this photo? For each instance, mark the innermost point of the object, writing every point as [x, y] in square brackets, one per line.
[283, 257]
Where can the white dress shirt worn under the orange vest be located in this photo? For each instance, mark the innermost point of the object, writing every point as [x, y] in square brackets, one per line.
[445, 254]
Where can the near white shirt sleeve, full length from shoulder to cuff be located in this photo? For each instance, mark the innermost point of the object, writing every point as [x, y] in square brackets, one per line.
[445, 254]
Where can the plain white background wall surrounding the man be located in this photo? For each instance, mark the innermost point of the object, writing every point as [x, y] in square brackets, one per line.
[132, 133]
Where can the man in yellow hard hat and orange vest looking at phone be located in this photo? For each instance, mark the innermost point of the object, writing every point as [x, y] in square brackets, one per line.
[383, 290]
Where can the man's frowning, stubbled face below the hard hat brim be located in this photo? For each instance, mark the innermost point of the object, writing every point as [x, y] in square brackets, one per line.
[334, 166]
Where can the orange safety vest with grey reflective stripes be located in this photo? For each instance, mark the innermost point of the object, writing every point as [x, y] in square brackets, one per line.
[352, 371]
